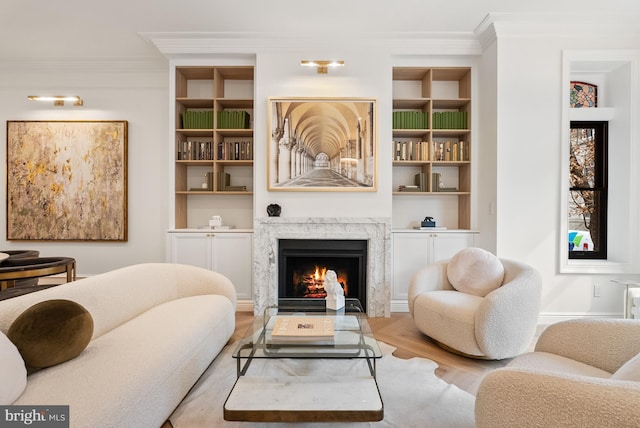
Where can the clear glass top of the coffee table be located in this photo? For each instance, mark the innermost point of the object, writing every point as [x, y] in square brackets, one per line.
[347, 333]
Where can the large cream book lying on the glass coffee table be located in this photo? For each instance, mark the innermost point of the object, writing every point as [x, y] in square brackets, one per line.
[293, 329]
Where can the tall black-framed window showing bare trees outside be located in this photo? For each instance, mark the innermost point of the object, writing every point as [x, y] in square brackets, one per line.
[587, 203]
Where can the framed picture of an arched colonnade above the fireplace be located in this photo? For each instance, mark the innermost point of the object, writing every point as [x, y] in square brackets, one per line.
[322, 144]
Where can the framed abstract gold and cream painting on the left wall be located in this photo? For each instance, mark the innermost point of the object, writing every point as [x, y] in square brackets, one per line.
[67, 180]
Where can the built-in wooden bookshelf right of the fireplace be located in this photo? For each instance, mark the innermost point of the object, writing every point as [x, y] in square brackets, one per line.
[431, 147]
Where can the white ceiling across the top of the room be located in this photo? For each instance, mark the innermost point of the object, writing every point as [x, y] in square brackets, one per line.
[41, 29]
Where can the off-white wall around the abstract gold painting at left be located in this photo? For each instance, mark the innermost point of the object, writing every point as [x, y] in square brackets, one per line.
[141, 98]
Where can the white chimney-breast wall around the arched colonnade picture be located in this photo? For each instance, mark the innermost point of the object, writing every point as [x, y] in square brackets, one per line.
[367, 74]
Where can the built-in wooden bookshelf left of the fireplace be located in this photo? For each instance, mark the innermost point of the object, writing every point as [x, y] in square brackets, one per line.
[213, 148]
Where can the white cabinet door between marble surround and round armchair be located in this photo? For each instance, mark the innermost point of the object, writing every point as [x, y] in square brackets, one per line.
[410, 253]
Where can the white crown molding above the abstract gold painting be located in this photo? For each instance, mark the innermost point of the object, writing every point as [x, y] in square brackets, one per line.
[105, 65]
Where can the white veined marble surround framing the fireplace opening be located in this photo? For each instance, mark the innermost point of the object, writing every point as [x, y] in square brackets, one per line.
[377, 232]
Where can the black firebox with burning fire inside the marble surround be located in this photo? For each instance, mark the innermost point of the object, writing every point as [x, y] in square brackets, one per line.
[302, 264]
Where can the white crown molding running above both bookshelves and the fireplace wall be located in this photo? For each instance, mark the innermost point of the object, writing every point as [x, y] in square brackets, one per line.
[179, 44]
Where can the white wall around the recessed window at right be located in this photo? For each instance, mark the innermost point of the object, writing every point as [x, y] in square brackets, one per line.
[529, 70]
